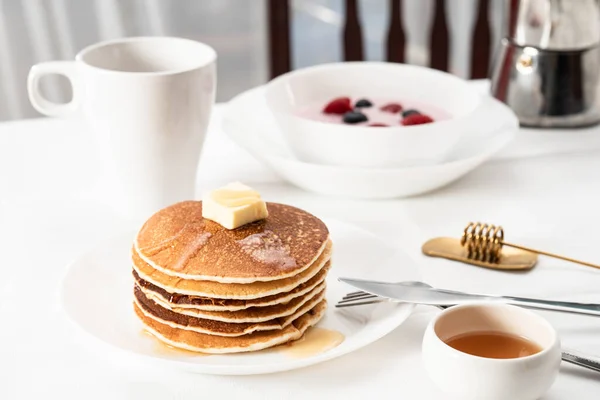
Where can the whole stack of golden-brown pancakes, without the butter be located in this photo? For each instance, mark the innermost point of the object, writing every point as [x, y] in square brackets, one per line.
[201, 287]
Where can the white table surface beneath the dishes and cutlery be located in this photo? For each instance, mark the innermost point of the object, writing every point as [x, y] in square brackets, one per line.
[50, 213]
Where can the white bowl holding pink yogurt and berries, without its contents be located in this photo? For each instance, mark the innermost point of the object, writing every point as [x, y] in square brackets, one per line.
[362, 146]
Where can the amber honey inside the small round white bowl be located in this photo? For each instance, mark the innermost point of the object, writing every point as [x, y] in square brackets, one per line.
[494, 345]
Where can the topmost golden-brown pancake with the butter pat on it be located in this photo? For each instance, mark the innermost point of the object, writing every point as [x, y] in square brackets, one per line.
[178, 242]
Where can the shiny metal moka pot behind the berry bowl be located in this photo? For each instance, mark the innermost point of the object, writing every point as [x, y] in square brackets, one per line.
[548, 72]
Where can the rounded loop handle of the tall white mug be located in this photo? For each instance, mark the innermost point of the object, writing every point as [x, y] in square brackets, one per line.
[39, 102]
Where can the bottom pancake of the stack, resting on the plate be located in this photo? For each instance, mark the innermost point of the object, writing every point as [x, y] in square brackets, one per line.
[194, 341]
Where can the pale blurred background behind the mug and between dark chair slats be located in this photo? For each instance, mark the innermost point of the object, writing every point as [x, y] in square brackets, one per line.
[42, 30]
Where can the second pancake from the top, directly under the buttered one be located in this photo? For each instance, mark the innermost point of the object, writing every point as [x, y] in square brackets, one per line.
[236, 291]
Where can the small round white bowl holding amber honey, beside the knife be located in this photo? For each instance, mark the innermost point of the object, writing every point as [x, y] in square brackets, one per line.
[487, 351]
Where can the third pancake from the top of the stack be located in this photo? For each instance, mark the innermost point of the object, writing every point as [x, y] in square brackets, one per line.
[181, 301]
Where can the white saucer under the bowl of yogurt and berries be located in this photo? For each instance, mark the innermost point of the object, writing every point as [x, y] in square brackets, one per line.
[249, 123]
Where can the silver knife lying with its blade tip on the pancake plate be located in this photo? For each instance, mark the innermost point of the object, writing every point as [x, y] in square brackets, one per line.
[409, 293]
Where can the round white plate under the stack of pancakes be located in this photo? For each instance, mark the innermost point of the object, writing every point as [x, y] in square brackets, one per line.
[97, 295]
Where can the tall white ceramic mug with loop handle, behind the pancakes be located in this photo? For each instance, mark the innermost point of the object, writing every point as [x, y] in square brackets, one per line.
[148, 101]
